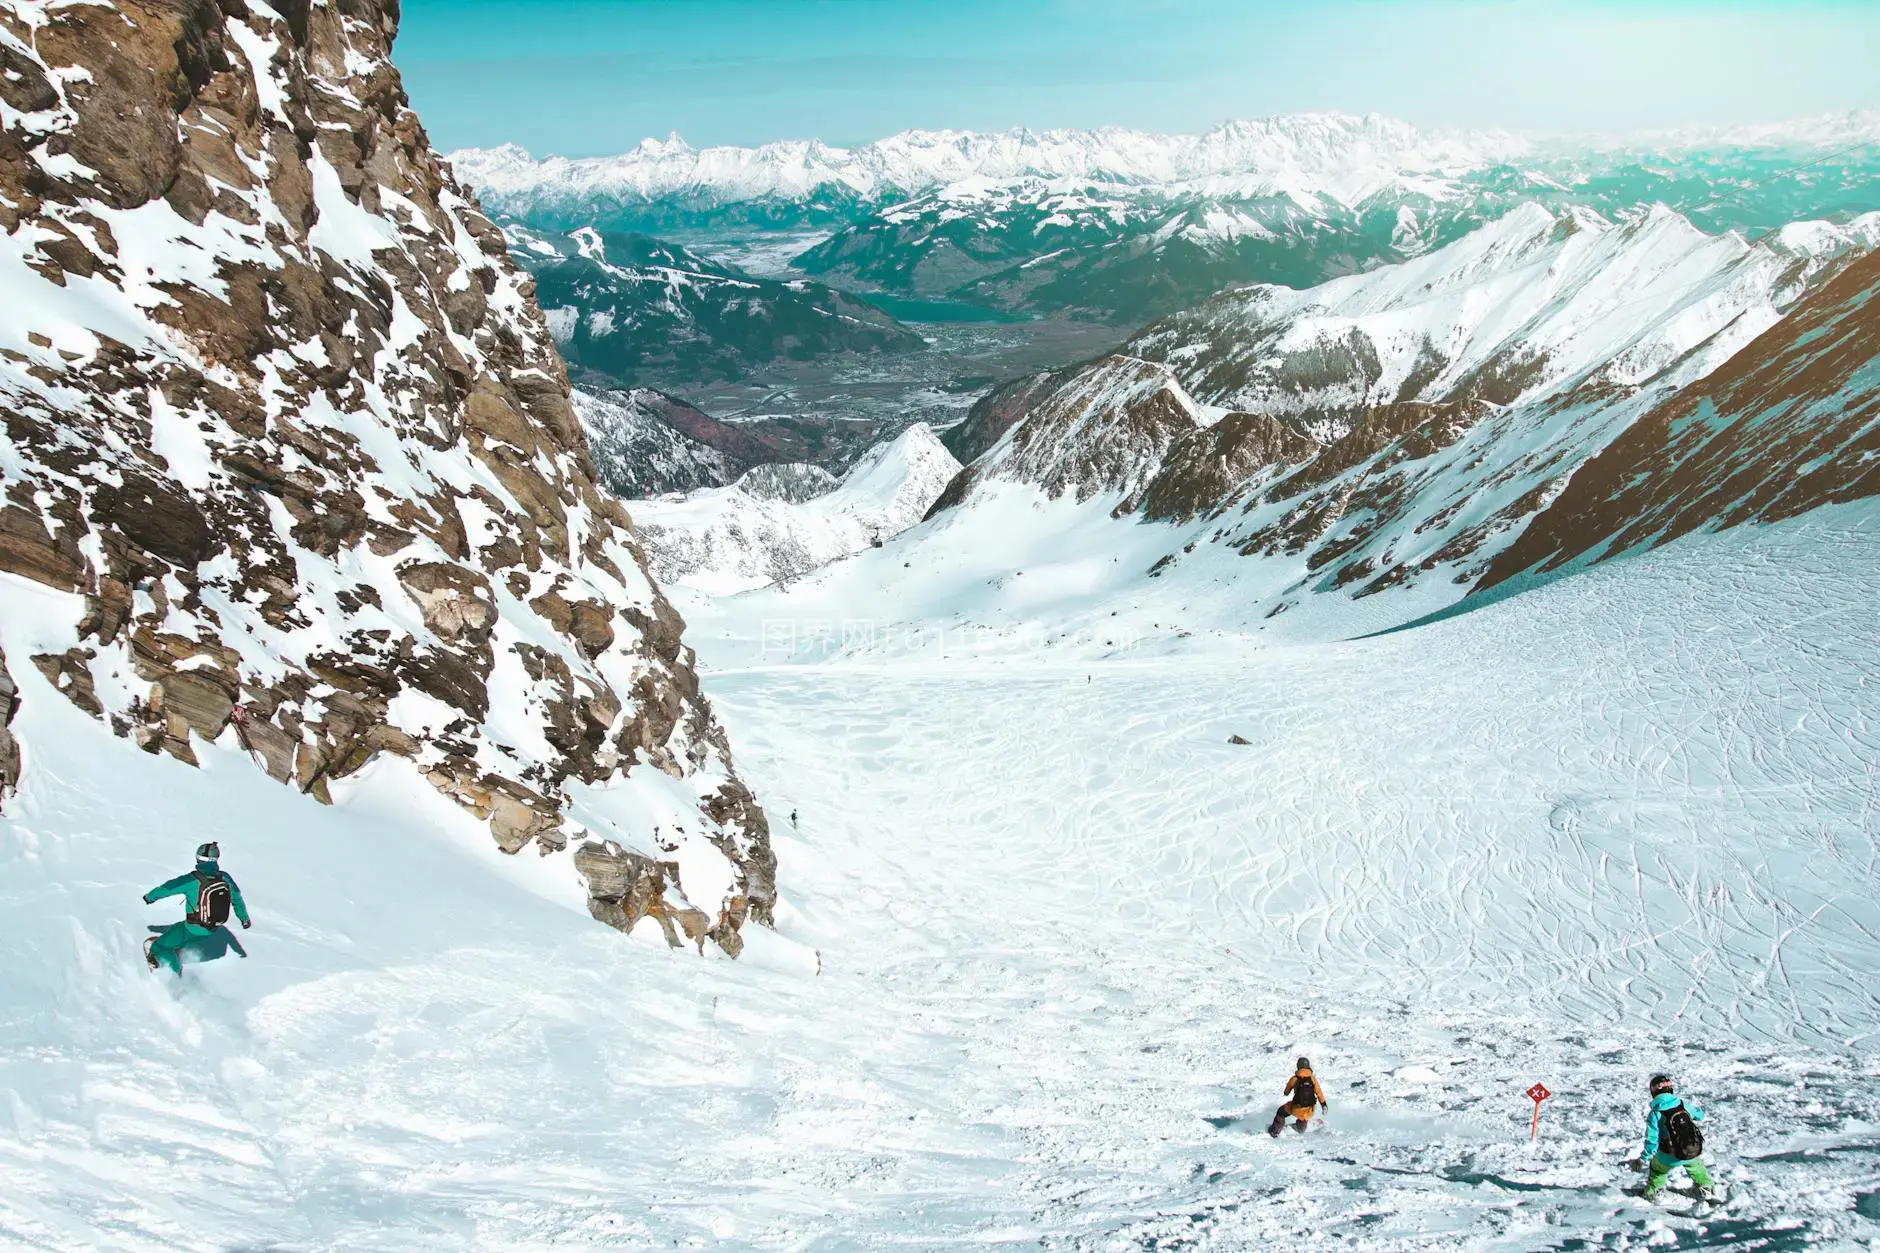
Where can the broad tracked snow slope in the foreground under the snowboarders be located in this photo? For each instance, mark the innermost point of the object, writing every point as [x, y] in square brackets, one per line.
[1067, 938]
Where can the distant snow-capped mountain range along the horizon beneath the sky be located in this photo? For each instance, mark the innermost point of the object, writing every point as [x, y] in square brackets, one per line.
[1125, 227]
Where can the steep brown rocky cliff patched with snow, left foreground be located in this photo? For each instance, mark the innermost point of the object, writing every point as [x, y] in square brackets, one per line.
[290, 454]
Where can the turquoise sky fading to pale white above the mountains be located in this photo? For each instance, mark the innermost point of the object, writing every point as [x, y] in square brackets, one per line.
[584, 78]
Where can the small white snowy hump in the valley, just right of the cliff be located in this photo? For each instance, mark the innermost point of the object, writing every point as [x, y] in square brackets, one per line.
[734, 539]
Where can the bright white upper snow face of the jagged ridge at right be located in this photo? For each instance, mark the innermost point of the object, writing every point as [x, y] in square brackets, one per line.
[1529, 306]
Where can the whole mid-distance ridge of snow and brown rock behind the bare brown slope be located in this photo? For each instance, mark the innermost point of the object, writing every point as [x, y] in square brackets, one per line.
[1398, 430]
